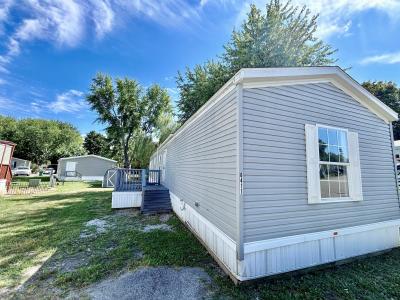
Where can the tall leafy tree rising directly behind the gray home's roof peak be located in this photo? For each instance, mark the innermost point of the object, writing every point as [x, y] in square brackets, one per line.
[282, 37]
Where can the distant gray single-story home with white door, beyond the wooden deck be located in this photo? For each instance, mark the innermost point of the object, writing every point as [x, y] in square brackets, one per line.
[85, 167]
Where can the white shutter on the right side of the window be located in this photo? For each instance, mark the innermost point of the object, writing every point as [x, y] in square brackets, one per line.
[354, 170]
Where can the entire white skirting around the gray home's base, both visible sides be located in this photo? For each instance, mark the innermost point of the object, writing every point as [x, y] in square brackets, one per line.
[280, 255]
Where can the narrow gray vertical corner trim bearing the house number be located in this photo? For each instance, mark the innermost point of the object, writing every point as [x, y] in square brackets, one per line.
[239, 172]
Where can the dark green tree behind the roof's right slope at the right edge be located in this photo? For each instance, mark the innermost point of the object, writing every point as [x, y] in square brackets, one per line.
[388, 93]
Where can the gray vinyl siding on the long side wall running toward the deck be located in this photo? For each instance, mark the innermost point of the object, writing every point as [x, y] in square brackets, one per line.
[201, 164]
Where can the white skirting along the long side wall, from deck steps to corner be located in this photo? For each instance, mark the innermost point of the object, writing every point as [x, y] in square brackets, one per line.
[218, 242]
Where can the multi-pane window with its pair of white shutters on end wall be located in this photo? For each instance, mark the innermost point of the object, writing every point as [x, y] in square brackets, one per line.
[333, 164]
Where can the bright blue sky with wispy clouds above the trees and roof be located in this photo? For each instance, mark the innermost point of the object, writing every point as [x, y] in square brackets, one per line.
[50, 50]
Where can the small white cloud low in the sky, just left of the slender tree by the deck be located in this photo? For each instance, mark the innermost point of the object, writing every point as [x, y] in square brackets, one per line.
[70, 101]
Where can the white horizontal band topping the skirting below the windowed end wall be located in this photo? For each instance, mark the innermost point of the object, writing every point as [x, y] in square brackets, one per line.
[296, 239]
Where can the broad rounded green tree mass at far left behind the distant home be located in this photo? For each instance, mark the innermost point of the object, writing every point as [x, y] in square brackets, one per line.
[40, 140]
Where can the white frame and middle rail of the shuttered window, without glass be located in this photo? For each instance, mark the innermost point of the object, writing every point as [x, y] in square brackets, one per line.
[335, 199]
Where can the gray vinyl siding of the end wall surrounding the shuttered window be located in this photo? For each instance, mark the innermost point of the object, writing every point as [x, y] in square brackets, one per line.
[274, 158]
